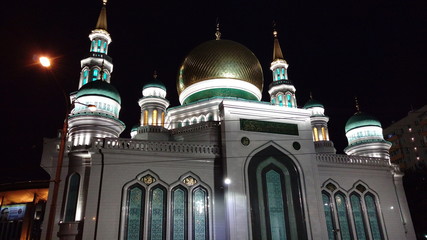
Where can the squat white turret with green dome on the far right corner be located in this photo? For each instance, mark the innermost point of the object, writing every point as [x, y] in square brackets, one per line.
[365, 136]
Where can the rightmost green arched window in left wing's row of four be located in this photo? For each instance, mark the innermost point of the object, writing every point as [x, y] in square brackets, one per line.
[200, 214]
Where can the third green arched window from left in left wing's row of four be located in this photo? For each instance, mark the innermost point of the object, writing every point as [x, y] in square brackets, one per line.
[179, 214]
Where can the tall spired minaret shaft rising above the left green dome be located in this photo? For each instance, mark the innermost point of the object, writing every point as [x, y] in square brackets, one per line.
[98, 66]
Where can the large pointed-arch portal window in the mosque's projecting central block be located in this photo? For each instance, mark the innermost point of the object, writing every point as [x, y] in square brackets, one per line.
[275, 196]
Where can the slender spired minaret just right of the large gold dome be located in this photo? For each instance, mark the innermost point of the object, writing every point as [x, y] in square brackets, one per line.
[281, 90]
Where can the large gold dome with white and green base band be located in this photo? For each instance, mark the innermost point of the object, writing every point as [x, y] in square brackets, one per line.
[219, 60]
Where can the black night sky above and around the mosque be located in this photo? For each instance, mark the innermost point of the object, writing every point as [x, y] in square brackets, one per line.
[375, 50]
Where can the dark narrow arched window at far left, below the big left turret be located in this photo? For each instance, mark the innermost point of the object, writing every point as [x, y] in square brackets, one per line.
[72, 196]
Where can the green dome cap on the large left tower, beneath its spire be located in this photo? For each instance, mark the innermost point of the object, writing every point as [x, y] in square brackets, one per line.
[99, 88]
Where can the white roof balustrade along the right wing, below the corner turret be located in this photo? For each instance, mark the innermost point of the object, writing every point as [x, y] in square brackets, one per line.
[356, 161]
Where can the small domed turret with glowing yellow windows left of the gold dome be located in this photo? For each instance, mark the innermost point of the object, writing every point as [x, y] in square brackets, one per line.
[153, 112]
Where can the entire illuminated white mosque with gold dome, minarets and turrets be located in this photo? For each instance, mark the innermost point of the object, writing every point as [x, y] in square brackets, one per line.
[223, 164]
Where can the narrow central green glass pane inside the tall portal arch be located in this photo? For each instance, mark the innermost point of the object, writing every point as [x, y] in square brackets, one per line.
[276, 209]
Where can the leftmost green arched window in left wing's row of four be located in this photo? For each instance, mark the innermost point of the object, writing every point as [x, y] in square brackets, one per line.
[135, 214]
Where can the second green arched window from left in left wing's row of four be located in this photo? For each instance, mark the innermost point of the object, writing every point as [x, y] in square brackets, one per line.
[158, 214]
